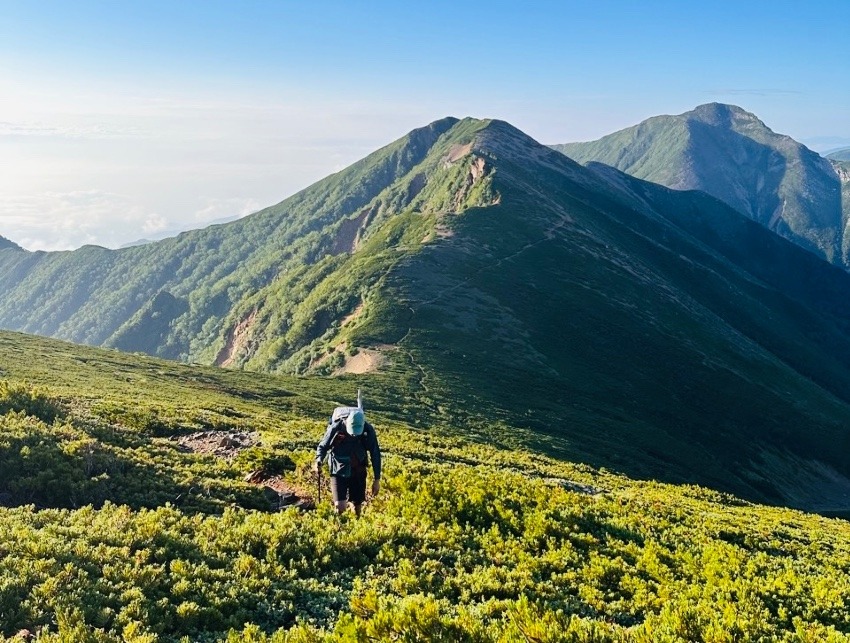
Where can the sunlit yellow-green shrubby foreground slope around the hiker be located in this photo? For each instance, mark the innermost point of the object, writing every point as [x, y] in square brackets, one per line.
[467, 542]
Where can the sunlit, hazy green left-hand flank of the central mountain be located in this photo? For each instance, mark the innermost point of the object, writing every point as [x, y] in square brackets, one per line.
[96, 296]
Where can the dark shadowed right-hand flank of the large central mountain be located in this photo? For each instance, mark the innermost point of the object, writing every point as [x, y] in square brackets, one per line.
[646, 330]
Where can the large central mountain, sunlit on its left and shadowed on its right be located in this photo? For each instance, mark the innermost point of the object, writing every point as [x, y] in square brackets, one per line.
[495, 285]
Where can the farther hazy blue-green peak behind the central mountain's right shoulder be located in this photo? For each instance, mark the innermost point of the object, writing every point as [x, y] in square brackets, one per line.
[730, 154]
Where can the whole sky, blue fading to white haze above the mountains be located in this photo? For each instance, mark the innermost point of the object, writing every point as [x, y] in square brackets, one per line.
[127, 120]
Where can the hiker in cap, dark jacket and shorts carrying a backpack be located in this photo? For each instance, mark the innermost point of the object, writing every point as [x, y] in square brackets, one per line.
[347, 444]
